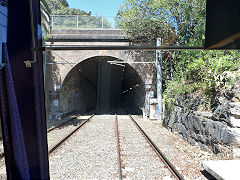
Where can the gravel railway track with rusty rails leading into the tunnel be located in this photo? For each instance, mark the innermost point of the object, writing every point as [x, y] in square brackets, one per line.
[132, 146]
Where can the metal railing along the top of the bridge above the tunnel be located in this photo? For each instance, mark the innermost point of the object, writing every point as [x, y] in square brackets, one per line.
[84, 22]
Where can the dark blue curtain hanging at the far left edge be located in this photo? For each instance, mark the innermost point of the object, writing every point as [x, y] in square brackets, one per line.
[15, 150]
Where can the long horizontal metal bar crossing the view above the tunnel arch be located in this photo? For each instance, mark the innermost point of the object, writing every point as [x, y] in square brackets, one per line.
[73, 48]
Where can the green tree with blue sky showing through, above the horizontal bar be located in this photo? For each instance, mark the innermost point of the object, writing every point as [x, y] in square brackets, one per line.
[175, 21]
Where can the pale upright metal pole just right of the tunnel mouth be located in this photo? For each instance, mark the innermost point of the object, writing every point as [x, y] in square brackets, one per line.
[159, 80]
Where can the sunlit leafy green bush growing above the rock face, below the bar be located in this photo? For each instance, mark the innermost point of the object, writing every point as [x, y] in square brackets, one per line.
[204, 74]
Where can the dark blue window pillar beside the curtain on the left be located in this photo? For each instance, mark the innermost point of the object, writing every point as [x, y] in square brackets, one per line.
[29, 90]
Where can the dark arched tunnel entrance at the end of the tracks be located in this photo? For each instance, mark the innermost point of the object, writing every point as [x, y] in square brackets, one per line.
[98, 86]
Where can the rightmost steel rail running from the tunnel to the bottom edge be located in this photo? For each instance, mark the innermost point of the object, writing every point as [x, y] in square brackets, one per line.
[157, 150]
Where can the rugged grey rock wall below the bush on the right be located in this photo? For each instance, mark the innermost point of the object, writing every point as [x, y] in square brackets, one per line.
[215, 131]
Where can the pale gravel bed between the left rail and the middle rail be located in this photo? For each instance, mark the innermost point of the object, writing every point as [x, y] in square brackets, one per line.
[90, 154]
